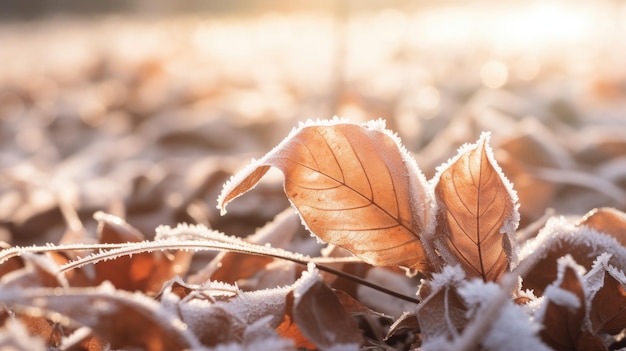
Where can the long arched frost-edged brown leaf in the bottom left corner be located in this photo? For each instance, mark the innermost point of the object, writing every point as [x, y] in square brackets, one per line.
[123, 319]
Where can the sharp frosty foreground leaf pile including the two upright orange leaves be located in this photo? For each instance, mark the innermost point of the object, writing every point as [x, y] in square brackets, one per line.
[482, 285]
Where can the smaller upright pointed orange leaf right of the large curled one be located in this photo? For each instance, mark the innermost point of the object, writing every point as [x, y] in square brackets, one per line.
[476, 207]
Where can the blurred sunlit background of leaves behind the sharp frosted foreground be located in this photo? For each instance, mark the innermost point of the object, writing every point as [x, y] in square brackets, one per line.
[144, 108]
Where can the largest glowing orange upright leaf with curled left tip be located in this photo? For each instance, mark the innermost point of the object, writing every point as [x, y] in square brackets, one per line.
[354, 186]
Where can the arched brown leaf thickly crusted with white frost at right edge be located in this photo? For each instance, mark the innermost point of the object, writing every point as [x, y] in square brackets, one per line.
[559, 238]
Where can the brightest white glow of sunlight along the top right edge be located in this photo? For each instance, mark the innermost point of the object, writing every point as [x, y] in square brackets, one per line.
[506, 27]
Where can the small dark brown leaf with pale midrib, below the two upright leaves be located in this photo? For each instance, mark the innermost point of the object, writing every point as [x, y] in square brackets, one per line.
[442, 313]
